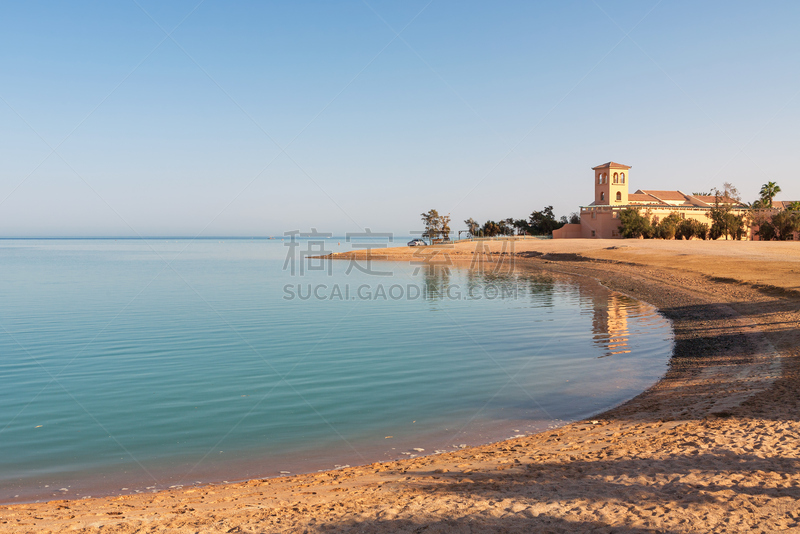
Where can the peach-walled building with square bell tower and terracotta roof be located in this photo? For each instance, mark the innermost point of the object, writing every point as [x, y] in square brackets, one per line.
[600, 219]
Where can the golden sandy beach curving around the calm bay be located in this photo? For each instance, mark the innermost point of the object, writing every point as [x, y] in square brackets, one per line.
[711, 447]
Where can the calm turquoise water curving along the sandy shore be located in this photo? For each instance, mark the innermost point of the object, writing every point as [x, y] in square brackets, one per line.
[137, 365]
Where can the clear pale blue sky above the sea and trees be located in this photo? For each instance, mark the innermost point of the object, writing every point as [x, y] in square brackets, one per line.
[255, 118]
